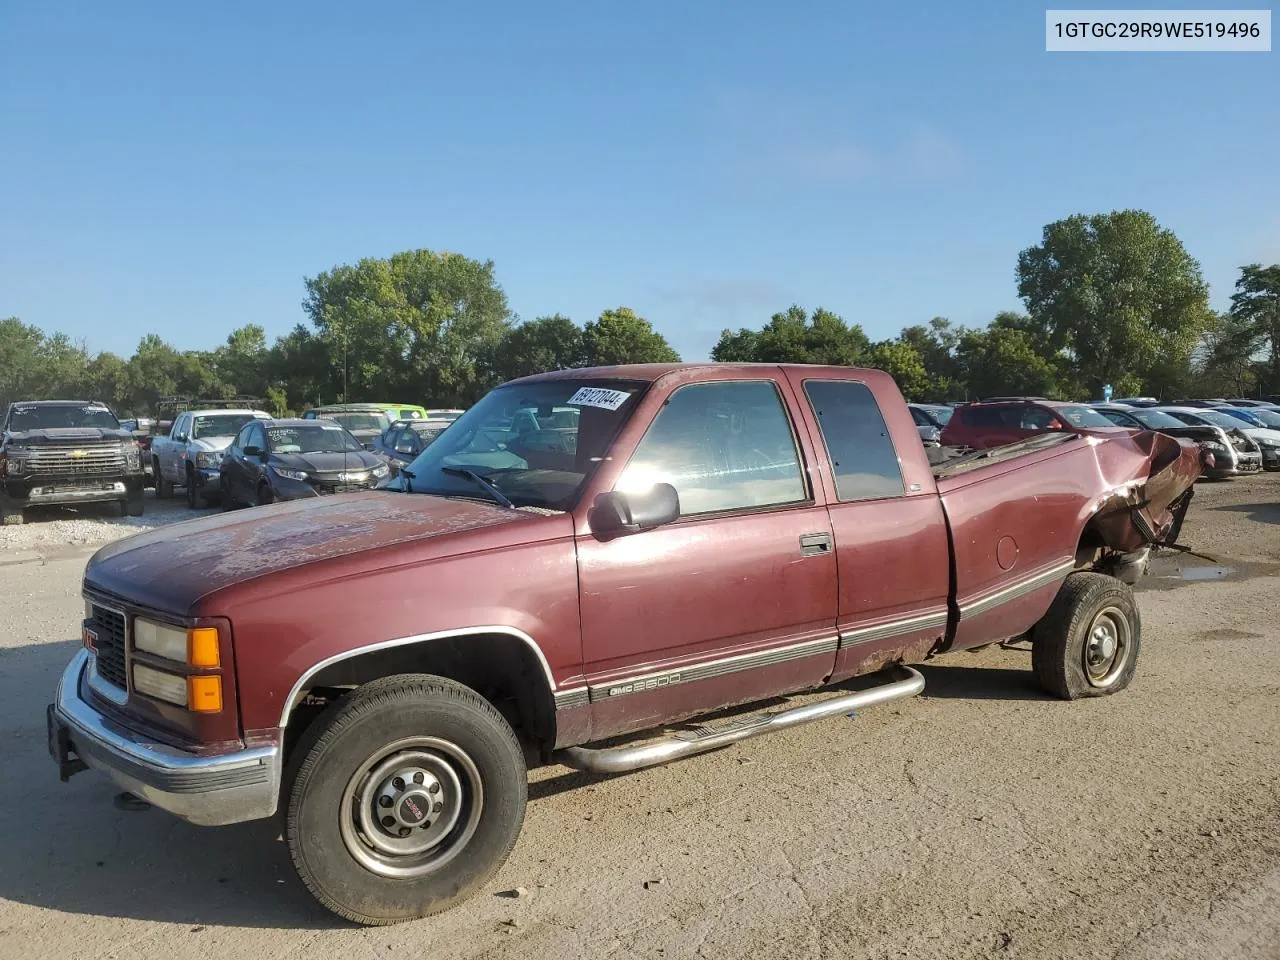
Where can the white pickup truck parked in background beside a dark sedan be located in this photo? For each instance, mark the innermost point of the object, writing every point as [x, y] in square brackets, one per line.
[193, 452]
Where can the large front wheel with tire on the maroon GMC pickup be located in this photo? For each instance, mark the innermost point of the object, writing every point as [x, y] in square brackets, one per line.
[406, 802]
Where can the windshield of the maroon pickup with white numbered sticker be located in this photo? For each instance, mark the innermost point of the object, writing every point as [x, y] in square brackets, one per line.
[538, 444]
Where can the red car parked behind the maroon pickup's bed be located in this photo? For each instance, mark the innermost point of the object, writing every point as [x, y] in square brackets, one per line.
[996, 423]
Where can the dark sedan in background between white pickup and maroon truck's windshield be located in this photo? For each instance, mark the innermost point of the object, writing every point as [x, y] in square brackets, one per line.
[289, 460]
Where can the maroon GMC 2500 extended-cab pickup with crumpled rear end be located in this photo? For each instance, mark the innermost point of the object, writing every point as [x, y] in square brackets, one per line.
[582, 564]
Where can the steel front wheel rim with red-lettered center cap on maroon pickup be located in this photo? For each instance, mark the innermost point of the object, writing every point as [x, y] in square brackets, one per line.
[413, 807]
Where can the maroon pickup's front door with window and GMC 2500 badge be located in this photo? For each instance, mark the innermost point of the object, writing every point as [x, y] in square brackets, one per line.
[737, 600]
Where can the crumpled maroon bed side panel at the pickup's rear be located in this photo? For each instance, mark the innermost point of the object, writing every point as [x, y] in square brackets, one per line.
[1017, 524]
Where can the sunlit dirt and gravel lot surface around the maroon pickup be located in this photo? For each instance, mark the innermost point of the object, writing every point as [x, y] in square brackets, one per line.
[980, 820]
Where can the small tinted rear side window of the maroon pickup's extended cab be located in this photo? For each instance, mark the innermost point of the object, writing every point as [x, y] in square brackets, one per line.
[853, 429]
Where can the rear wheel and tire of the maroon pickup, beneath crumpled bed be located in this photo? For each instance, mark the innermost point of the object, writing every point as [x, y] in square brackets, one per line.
[1087, 644]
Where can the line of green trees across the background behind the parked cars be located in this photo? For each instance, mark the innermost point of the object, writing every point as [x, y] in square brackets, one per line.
[1110, 299]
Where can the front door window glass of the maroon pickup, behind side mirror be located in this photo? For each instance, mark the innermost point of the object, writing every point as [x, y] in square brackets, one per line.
[724, 446]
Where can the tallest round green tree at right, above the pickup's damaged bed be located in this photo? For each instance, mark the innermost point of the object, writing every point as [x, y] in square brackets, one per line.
[1117, 292]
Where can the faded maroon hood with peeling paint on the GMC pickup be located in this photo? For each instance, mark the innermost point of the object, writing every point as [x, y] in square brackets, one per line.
[172, 568]
